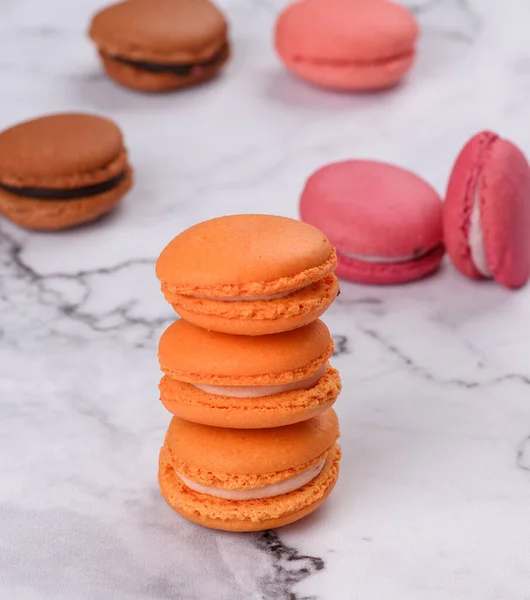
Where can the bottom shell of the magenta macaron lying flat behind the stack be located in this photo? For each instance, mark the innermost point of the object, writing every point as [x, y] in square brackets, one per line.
[387, 273]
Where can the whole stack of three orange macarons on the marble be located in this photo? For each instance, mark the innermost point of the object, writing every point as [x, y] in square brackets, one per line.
[252, 444]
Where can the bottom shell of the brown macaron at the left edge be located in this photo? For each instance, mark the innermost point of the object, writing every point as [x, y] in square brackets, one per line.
[52, 215]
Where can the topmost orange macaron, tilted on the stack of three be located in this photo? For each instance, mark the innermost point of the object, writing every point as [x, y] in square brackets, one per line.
[249, 274]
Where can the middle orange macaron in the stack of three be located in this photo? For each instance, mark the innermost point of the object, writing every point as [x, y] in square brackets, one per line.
[247, 382]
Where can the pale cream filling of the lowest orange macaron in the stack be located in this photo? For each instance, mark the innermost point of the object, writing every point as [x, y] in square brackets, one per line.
[268, 491]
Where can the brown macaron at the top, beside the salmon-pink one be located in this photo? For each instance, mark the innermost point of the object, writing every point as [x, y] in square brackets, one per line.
[161, 45]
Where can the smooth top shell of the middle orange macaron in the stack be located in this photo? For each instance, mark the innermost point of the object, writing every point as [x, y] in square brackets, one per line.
[192, 354]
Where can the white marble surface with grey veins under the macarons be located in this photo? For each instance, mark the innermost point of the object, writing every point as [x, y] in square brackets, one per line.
[434, 498]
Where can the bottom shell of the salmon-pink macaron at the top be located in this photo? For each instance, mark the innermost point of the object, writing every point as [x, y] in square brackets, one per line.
[352, 77]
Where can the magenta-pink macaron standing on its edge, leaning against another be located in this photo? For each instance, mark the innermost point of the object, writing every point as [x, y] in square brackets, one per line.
[487, 211]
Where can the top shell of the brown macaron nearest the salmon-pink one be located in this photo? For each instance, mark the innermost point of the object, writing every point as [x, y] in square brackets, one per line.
[160, 30]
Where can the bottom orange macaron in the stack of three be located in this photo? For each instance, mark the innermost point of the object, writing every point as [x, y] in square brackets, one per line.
[249, 479]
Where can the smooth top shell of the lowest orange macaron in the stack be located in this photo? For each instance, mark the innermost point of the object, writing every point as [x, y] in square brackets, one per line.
[252, 451]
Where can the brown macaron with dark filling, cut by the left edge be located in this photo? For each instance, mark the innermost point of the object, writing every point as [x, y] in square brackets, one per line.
[62, 170]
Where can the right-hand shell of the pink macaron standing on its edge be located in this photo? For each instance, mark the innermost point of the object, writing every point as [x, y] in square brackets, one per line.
[504, 189]
